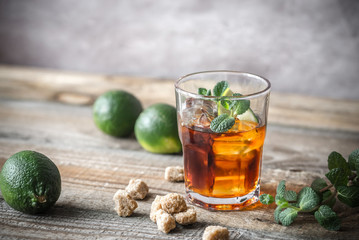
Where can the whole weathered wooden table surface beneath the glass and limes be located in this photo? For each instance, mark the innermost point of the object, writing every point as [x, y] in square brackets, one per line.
[50, 112]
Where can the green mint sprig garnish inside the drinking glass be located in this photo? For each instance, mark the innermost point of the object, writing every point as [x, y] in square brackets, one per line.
[225, 121]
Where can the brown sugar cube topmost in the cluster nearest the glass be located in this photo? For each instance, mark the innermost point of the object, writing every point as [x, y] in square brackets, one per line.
[173, 203]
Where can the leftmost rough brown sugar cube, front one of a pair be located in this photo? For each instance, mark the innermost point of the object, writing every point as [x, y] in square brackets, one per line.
[124, 204]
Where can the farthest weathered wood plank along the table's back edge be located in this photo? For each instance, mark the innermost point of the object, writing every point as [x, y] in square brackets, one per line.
[79, 88]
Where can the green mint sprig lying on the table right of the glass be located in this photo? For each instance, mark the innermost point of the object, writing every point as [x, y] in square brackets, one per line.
[320, 197]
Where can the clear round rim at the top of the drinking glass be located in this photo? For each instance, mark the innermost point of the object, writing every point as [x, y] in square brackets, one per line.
[247, 96]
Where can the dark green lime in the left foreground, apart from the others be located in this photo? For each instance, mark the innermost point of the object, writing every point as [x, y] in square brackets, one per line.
[30, 182]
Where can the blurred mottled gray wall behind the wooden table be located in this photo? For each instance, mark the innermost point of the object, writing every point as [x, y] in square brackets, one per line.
[302, 46]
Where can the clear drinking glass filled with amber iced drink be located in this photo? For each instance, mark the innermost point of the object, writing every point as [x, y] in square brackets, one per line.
[222, 169]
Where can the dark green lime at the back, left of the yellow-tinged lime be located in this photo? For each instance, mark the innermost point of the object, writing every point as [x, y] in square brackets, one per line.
[115, 112]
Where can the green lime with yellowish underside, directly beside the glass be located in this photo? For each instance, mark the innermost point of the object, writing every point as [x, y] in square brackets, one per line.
[156, 129]
